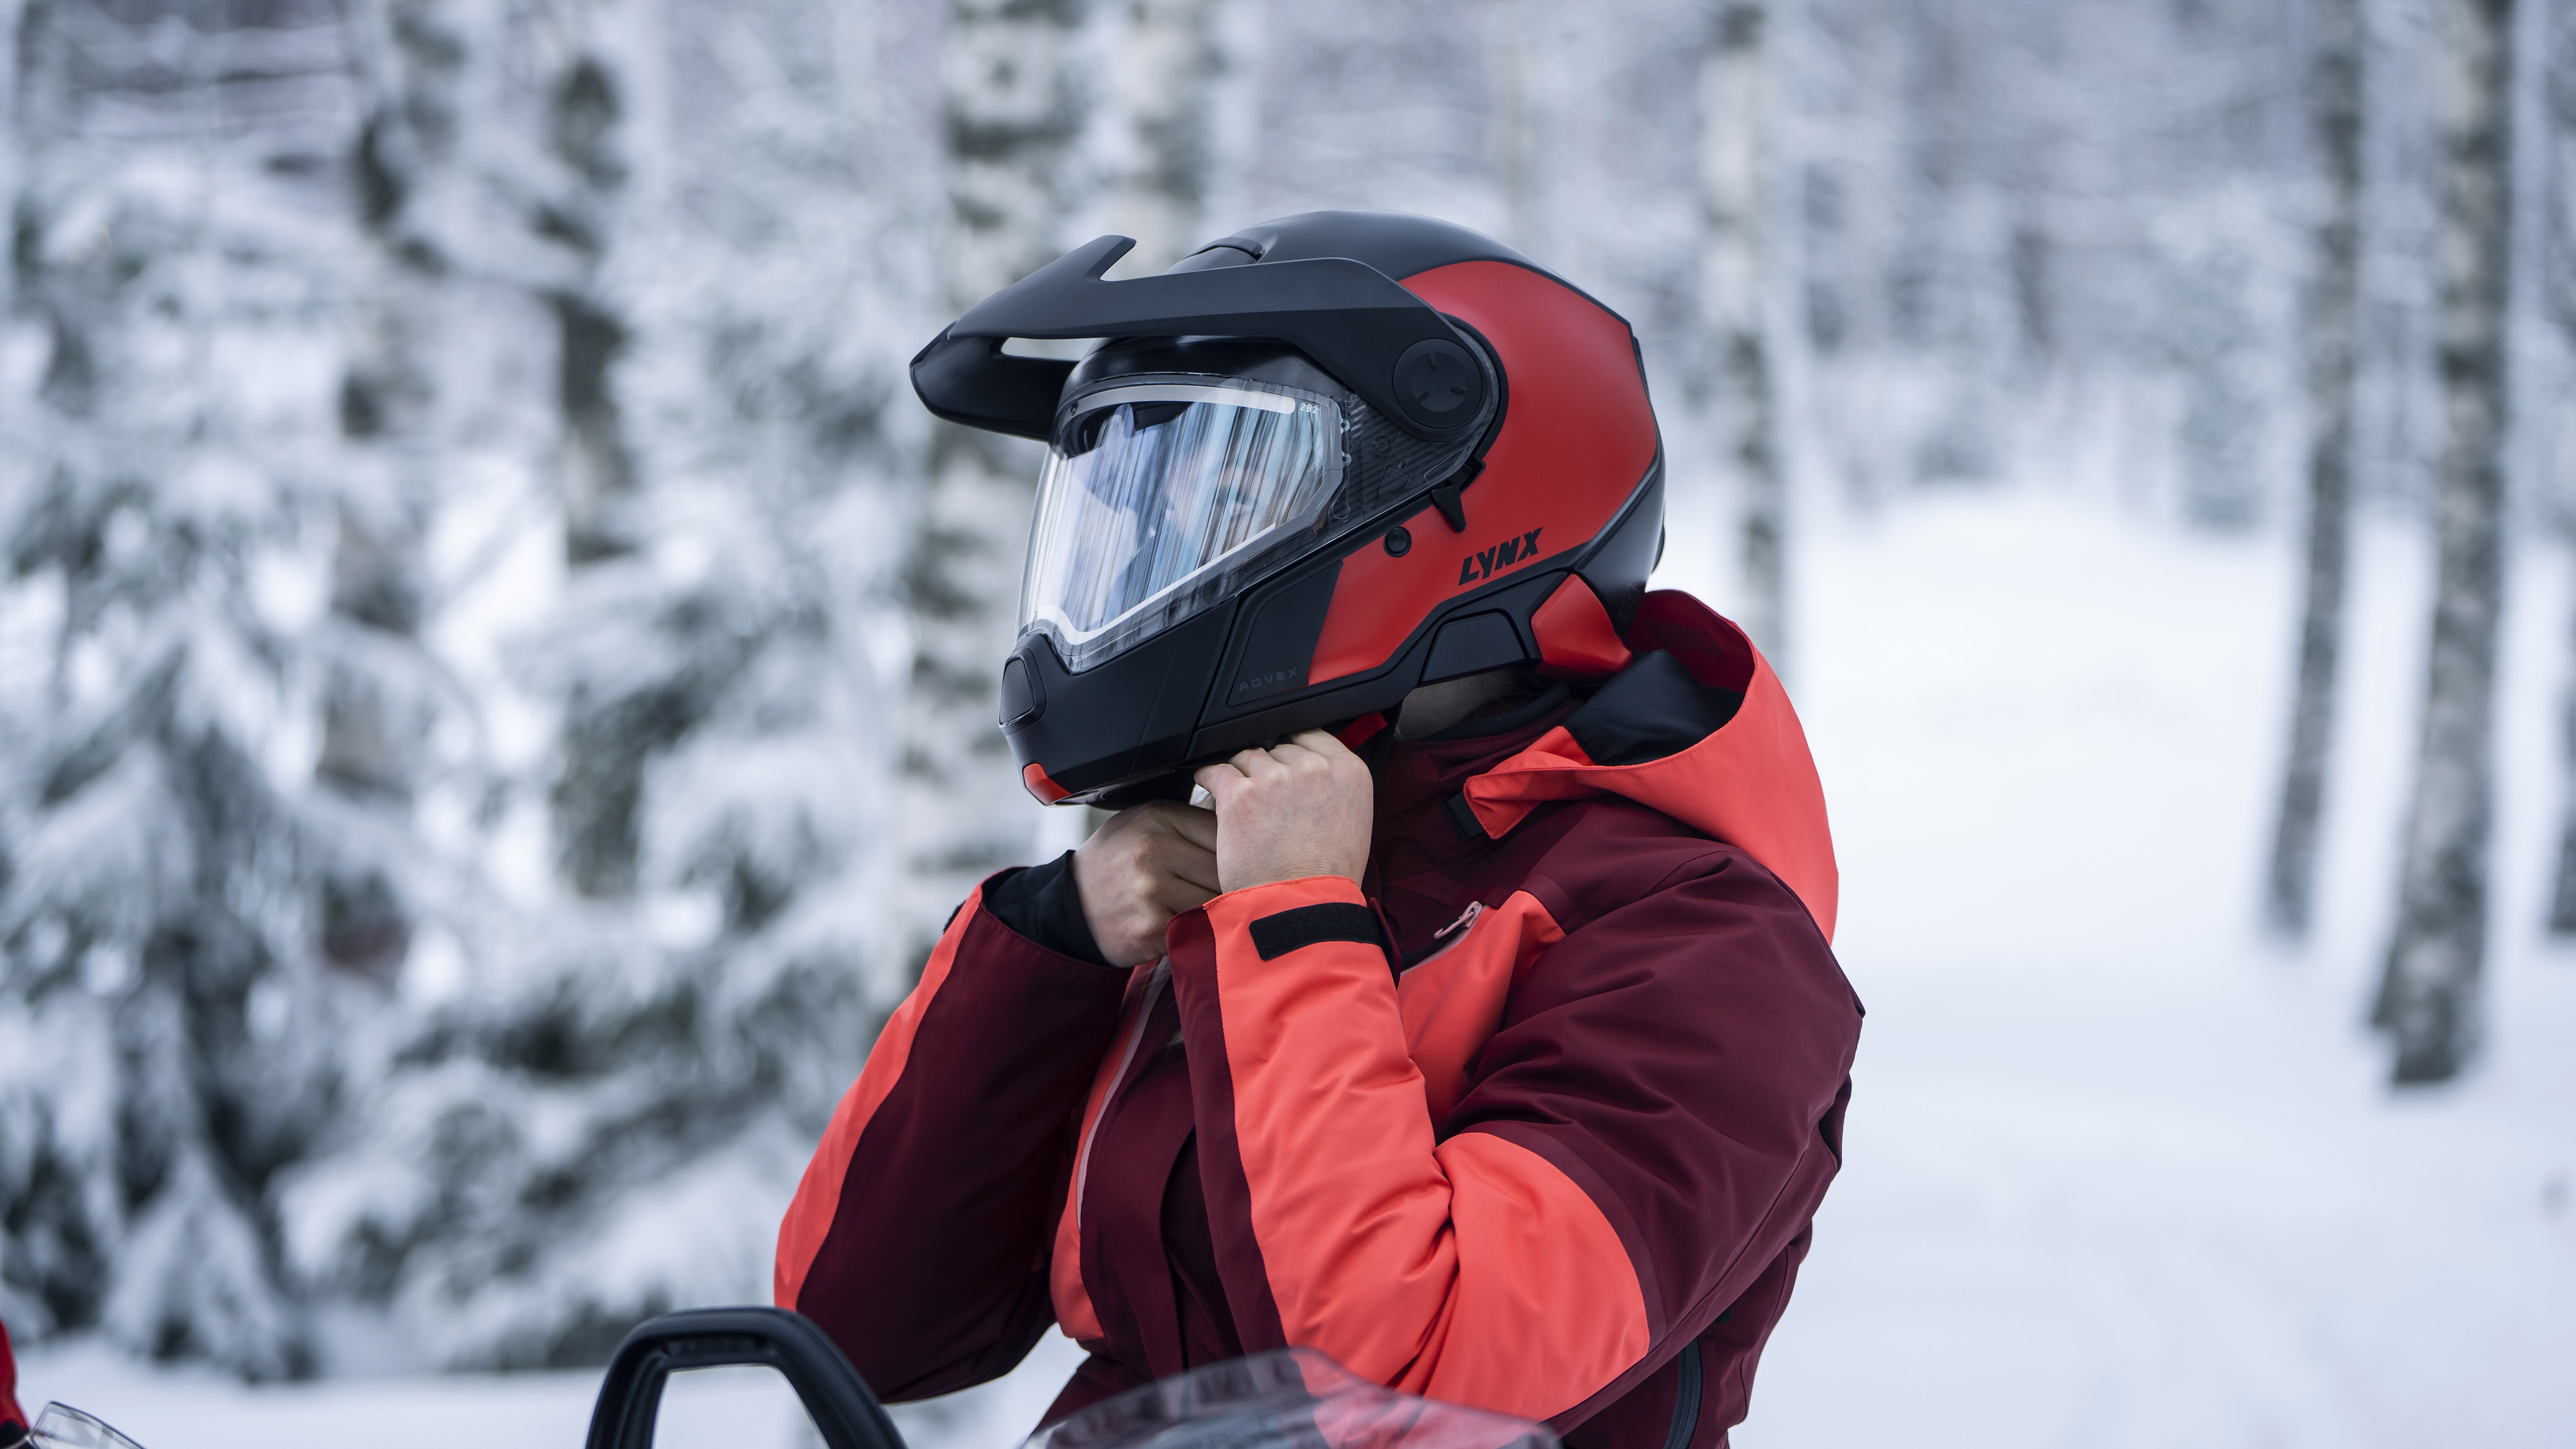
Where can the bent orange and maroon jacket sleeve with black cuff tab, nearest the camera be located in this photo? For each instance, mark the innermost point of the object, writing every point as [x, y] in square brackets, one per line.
[1637, 1133]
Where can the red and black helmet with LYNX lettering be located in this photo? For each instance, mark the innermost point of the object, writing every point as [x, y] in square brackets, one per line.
[1310, 468]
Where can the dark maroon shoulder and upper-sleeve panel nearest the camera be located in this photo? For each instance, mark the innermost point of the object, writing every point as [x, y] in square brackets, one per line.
[1686, 1058]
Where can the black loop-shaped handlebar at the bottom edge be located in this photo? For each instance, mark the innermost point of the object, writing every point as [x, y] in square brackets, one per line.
[841, 1404]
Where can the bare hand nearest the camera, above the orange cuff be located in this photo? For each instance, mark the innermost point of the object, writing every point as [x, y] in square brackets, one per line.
[1294, 811]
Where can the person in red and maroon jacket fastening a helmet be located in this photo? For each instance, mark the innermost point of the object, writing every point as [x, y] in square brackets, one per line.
[1482, 1030]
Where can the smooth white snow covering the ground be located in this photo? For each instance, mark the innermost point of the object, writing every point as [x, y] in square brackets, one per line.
[2119, 1169]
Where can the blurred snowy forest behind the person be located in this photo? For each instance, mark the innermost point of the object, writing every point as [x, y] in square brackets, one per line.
[496, 666]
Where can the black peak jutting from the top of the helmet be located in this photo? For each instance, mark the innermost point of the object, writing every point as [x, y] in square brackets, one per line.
[1351, 318]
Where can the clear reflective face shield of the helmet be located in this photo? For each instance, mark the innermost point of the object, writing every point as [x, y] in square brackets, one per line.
[1163, 499]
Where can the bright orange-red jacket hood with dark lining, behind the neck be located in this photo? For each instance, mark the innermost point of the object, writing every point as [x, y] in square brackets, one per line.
[1691, 721]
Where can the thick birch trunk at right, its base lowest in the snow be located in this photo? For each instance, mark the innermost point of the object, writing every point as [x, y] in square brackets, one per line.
[2428, 997]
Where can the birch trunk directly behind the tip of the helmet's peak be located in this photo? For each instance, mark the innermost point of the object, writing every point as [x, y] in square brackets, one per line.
[1014, 112]
